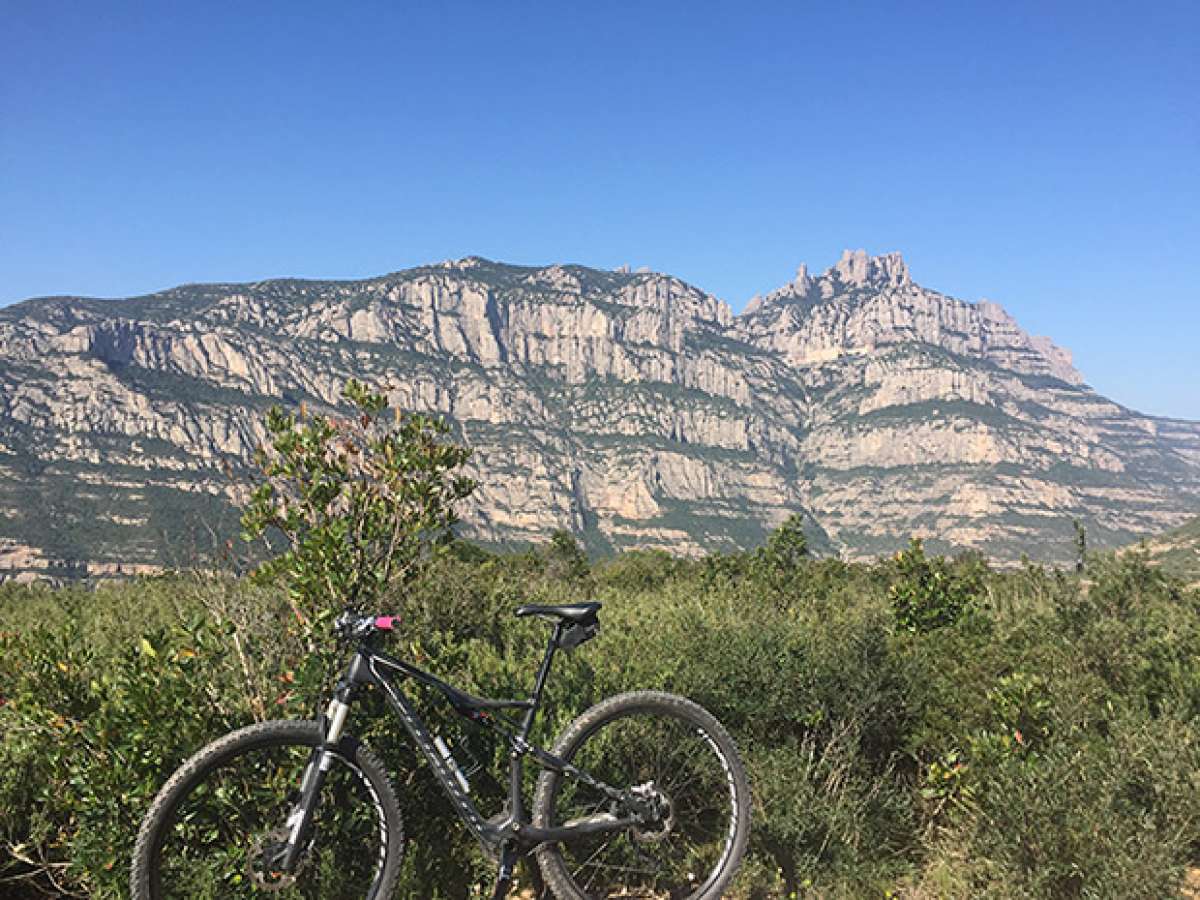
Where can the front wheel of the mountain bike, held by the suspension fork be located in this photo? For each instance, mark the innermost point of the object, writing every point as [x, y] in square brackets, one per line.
[220, 824]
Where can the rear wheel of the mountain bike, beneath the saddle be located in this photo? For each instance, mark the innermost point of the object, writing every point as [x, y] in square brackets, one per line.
[677, 755]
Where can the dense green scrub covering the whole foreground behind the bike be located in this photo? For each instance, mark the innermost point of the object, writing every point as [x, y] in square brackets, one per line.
[1046, 746]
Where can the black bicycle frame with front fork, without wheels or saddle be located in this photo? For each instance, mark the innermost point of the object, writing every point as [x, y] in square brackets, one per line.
[373, 668]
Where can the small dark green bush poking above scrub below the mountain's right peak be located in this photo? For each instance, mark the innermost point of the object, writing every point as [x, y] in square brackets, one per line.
[928, 592]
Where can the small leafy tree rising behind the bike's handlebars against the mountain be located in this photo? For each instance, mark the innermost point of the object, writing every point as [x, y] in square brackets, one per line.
[363, 501]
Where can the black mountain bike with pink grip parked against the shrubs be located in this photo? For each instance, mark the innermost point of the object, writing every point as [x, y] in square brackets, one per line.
[643, 796]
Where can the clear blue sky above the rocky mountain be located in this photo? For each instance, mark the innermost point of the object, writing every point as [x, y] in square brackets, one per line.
[1043, 155]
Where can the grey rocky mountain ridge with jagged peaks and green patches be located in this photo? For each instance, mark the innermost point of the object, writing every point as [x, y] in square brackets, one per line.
[629, 407]
